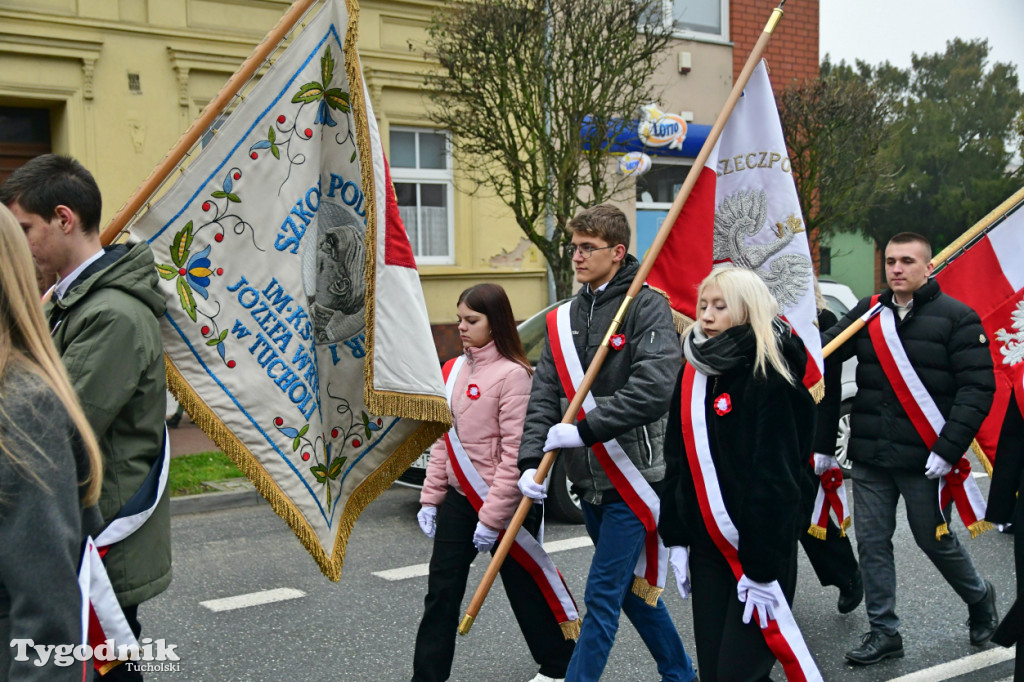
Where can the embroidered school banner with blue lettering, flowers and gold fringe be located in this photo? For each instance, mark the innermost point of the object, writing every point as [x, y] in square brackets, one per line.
[296, 332]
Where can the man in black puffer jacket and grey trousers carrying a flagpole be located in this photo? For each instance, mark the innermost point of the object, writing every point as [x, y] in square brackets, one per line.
[947, 347]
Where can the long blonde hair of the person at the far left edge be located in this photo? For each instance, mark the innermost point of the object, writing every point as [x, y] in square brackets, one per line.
[26, 343]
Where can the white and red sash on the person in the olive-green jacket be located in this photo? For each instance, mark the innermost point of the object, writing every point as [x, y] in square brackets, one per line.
[103, 618]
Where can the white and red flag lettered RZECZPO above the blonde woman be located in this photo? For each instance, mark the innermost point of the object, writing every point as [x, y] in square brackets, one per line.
[745, 211]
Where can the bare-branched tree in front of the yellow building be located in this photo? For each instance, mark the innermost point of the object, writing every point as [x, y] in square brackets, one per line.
[531, 90]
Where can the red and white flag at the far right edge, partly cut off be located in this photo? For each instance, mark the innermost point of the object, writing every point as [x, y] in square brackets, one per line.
[990, 278]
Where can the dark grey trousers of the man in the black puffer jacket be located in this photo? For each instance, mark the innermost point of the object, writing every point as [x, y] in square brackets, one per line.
[876, 493]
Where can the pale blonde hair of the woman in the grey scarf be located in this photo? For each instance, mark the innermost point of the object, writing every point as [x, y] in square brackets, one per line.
[750, 303]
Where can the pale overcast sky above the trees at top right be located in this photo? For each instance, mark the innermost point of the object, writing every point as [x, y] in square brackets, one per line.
[879, 30]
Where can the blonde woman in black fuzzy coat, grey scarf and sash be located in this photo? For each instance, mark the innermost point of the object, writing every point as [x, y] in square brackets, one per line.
[740, 433]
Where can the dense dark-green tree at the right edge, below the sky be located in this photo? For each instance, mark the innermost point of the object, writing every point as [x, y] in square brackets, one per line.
[953, 142]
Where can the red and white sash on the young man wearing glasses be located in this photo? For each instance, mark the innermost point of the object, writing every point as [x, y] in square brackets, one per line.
[630, 484]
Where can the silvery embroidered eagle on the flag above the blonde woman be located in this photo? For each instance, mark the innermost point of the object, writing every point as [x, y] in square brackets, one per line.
[744, 215]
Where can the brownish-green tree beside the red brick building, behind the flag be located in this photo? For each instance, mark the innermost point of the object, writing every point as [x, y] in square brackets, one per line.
[836, 126]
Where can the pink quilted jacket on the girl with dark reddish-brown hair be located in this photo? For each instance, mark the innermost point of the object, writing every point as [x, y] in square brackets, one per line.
[490, 430]
